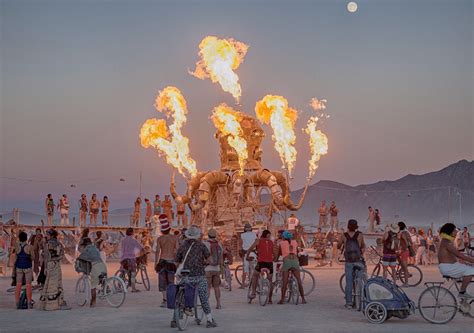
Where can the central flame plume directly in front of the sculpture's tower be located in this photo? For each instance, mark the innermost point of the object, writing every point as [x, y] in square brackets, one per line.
[227, 121]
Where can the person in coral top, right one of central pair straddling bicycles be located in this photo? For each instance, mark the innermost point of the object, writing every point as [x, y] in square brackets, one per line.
[288, 249]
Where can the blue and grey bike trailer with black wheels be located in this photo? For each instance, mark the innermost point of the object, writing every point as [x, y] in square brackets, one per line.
[383, 299]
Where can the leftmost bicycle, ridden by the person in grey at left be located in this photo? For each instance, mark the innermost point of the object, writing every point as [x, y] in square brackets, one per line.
[113, 289]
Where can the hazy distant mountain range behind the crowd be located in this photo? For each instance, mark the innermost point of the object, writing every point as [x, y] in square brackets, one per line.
[416, 199]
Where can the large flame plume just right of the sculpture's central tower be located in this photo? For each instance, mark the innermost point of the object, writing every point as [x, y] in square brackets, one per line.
[274, 110]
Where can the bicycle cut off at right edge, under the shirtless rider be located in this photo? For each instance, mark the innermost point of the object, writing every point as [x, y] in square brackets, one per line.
[438, 305]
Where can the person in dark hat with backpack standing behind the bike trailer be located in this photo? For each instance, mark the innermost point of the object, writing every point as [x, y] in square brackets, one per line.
[354, 246]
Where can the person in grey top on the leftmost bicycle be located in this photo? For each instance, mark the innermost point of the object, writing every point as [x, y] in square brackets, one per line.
[91, 254]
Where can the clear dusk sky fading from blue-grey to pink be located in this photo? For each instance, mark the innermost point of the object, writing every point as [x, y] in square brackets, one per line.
[78, 79]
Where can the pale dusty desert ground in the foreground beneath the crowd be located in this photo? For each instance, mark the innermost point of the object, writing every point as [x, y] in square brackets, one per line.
[141, 312]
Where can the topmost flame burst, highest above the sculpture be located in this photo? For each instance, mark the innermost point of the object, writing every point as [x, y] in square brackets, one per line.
[219, 60]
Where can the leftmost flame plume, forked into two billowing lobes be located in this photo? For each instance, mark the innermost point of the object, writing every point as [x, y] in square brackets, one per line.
[170, 142]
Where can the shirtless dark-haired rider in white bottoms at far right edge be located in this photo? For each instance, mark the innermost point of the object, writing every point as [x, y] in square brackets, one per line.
[448, 257]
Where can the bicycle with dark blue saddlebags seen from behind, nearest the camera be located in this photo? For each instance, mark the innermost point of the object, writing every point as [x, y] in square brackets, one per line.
[182, 313]
